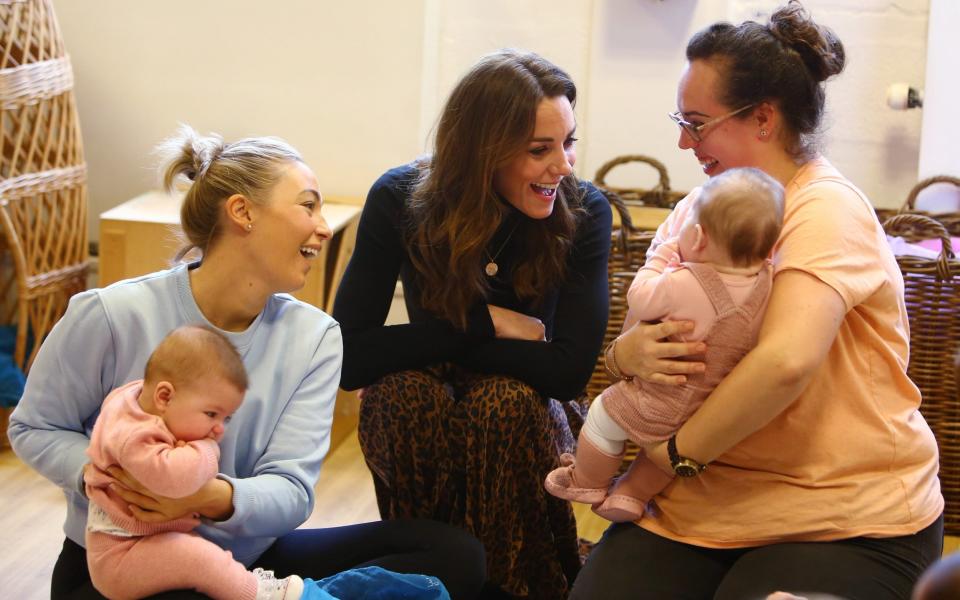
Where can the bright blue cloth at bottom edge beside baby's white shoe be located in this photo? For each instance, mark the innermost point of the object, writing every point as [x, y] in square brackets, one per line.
[374, 583]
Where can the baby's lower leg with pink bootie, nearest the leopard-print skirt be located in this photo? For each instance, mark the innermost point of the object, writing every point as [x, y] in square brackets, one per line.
[586, 476]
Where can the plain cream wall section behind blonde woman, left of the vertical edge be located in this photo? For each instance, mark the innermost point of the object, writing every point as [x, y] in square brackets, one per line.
[339, 80]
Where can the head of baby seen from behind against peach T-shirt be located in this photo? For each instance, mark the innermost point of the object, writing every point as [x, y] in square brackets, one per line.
[735, 221]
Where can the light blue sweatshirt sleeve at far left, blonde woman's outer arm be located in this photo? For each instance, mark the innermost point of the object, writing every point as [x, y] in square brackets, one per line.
[68, 381]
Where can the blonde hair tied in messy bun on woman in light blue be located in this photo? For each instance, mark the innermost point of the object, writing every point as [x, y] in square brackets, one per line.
[217, 170]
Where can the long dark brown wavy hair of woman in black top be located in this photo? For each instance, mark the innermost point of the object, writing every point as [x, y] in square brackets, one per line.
[488, 121]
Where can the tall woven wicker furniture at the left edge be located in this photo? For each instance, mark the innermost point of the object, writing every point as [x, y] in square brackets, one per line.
[43, 202]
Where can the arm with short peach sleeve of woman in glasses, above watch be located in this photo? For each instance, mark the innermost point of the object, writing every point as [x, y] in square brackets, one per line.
[827, 263]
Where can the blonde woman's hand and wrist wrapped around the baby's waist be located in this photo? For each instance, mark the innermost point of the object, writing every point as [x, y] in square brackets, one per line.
[214, 500]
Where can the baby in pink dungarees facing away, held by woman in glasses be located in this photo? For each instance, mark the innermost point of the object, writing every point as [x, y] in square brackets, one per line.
[716, 273]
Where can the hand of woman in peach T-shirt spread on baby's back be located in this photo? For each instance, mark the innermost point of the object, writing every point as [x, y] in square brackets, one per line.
[641, 353]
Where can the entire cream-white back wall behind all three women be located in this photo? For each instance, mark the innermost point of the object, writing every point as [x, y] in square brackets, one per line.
[357, 86]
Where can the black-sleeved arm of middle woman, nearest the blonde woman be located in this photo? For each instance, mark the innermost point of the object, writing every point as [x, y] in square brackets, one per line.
[371, 349]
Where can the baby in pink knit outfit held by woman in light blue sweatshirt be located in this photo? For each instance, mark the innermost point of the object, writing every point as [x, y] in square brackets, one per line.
[163, 431]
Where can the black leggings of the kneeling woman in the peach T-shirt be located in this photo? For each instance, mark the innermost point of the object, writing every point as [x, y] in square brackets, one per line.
[631, 562]
